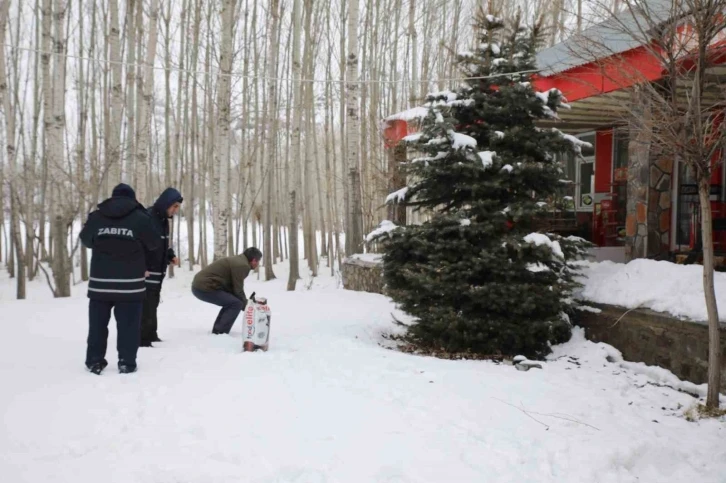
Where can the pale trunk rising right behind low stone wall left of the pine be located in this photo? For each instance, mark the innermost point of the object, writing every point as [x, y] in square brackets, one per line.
[355, 216]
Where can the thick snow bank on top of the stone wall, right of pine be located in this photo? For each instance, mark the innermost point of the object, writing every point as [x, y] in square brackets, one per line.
[656, 285]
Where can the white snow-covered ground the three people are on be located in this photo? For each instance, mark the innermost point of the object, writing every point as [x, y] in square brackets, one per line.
[326, 404]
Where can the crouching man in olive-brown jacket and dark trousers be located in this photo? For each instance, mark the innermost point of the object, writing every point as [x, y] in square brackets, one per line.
[222, 283]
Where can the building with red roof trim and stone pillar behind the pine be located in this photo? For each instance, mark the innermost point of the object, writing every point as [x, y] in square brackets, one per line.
[629, 197]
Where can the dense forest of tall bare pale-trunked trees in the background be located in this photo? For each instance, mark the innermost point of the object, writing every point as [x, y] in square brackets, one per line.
[266, 114]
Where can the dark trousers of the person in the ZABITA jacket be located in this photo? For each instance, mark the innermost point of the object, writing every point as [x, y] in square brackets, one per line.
[128, 323]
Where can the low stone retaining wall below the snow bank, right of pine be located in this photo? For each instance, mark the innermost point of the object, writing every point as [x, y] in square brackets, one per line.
[655, 339]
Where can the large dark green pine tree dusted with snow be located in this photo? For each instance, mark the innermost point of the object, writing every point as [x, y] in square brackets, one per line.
[478, 277]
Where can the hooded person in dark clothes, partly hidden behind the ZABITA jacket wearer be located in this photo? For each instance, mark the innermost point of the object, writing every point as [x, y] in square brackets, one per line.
[165, 208]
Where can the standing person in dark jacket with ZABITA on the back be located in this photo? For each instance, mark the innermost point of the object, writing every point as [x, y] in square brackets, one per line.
[120, 233]
